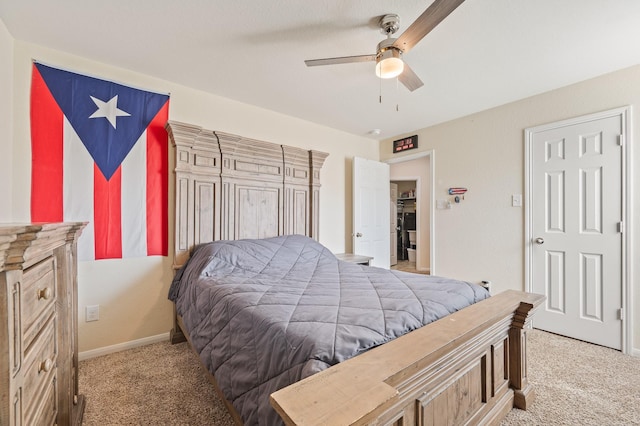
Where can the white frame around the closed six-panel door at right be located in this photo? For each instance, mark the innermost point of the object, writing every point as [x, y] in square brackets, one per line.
[627, 206]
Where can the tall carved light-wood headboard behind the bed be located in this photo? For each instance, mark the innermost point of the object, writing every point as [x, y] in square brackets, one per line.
[228, 187]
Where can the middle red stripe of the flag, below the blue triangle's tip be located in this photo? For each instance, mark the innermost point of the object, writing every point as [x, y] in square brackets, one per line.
[107, 214]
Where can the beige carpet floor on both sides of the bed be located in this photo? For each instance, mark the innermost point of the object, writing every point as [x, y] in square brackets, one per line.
[576, 384]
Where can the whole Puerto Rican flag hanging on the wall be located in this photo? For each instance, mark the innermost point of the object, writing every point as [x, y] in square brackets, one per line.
[100, 155]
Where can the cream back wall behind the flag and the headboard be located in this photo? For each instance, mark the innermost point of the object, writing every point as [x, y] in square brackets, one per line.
[132, 293]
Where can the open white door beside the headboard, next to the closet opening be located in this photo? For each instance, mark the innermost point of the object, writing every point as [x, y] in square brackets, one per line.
[371, 210]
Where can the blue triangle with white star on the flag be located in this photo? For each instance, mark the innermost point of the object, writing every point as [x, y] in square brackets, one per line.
[80, 96]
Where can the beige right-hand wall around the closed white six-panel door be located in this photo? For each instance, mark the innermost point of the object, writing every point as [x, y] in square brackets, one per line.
[482, 237]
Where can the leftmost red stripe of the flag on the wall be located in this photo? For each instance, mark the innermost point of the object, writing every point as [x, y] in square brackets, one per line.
[46, 153]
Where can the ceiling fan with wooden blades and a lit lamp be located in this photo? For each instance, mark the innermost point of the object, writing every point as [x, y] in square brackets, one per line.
[388, 56]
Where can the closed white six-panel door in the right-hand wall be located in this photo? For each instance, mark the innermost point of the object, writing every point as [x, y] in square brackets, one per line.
[576, 244]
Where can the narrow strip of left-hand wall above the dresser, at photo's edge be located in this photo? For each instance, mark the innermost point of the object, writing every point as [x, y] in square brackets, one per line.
[6, 121]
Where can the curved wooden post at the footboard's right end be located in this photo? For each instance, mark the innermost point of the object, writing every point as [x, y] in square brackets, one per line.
[523, 392]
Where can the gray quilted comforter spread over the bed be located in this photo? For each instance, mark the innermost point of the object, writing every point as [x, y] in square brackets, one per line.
[263, 314]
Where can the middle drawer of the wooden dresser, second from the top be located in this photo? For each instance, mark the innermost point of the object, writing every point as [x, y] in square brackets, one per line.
[40, 368]
